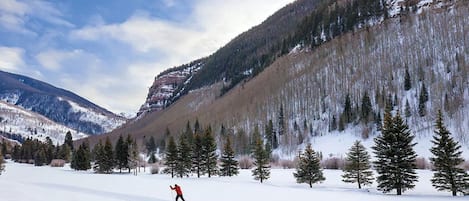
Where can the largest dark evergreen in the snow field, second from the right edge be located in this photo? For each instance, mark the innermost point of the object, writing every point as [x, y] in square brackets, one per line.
[395, 162]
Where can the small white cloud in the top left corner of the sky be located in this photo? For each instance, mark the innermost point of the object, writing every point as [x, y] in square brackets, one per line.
[14, 14]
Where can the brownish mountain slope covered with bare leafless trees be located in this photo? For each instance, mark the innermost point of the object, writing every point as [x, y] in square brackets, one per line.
[312, 84]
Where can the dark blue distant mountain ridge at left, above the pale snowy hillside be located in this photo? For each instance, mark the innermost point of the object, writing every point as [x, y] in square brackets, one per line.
[59, 105]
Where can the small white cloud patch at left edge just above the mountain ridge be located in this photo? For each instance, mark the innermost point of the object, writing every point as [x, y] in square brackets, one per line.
[11, 58]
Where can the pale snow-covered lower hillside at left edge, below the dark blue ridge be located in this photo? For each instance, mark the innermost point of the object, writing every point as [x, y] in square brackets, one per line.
[18, 124]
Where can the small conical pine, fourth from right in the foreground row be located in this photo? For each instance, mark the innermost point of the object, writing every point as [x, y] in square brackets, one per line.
[308, 170]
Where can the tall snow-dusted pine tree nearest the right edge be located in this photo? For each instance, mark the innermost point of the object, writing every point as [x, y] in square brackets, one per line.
[447, 157]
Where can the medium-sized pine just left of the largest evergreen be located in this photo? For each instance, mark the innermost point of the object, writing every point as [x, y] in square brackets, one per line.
[357, 167]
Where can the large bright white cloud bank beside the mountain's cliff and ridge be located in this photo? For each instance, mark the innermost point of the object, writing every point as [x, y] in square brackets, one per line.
[158, 44]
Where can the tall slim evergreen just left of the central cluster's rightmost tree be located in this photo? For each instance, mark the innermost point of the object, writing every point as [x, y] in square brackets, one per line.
[208, 153]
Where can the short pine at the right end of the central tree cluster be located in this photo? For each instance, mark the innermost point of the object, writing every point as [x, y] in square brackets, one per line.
[229, 166]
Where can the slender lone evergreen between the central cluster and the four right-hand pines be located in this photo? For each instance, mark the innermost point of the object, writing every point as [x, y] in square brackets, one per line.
[261, 162]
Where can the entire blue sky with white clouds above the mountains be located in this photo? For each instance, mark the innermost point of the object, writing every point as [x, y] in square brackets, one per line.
[110, 51]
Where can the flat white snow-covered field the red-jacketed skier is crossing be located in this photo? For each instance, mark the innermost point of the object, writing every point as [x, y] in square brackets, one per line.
[26, 182]
